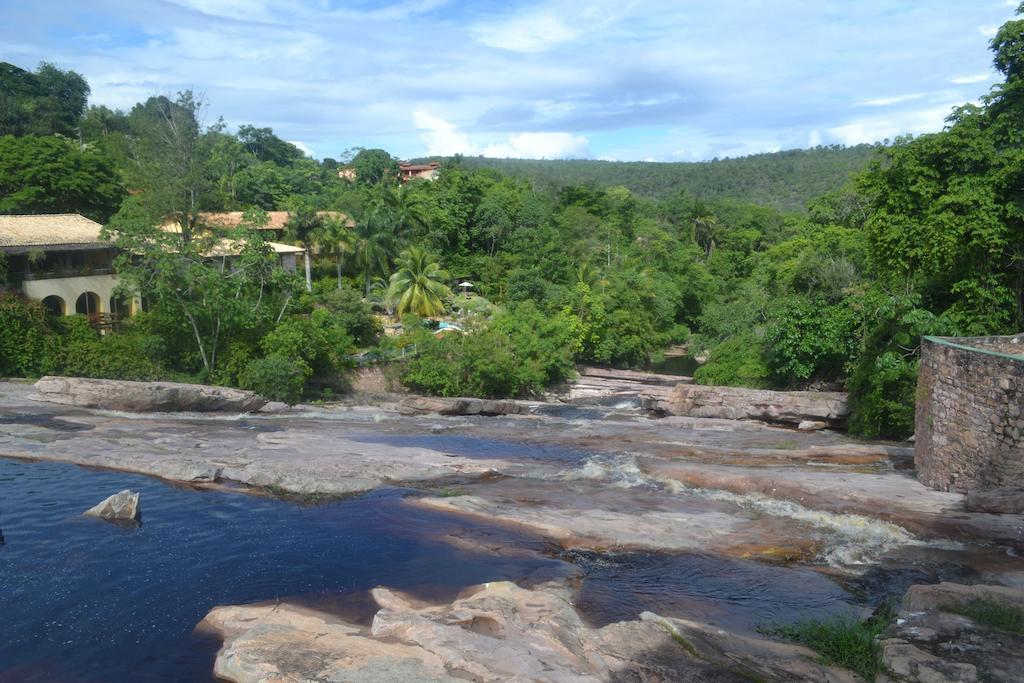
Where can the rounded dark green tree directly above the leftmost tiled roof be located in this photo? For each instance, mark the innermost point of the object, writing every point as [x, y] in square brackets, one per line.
[55, 176]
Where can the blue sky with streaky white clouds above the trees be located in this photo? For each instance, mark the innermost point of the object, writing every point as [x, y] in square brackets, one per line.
[629, 80]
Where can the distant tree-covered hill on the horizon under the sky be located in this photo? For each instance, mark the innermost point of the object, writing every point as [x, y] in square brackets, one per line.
[784, 180]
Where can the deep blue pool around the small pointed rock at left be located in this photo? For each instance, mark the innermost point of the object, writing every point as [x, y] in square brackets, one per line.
[86, 601]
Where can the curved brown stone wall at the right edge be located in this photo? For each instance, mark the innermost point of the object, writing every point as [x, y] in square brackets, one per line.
[970, 417]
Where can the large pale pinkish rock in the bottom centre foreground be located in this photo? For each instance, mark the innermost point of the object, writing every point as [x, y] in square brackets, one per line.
[500, 632]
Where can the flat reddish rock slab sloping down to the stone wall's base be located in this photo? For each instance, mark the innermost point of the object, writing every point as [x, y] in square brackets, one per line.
[893, 497]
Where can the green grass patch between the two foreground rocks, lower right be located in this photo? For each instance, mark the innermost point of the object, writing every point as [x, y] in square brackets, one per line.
[841, 643]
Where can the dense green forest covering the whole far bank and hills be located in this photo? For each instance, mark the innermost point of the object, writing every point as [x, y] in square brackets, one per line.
[572, 262]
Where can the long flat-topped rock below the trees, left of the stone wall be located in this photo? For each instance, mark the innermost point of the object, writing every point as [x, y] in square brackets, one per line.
[699, 401]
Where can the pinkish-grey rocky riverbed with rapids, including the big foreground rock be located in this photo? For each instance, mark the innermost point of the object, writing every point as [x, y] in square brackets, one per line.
[598, 481]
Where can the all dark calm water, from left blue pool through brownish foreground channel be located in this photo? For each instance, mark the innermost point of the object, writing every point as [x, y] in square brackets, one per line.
[86, 601]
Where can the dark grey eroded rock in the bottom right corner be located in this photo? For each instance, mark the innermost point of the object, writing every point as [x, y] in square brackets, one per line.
[930, 645]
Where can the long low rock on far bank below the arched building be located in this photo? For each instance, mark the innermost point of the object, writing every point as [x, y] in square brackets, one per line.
[145, 397]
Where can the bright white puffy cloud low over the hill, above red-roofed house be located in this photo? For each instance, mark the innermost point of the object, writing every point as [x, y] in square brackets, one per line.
[444, 139]
